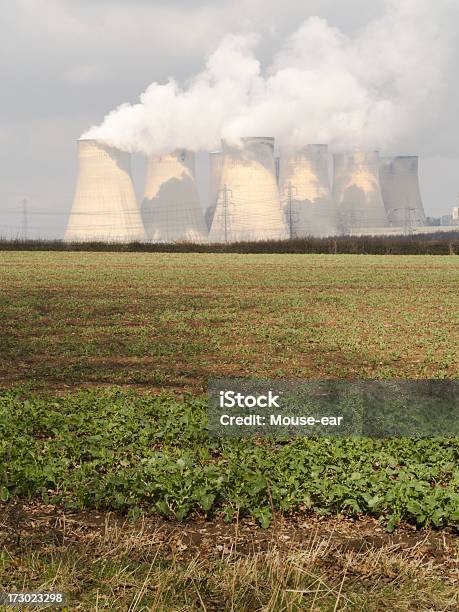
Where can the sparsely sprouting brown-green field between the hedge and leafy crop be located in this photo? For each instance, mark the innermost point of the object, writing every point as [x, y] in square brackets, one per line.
[174, 320]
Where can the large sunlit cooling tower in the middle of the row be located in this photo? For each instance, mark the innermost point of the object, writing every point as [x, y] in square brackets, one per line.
[248, 206]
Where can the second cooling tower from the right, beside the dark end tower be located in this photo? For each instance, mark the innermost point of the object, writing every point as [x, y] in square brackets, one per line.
[357, 192]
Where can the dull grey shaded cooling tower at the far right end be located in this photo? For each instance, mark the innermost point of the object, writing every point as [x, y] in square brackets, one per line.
[400, 190]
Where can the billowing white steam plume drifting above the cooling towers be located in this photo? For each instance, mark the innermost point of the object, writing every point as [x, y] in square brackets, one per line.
[323, 86]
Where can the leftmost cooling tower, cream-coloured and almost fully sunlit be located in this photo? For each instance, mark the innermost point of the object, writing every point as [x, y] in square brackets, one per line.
[104, 207]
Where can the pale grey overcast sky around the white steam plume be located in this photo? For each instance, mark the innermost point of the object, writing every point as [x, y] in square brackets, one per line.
[64, 64]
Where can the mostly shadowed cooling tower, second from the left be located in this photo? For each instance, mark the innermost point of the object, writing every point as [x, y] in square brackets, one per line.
[171, 210]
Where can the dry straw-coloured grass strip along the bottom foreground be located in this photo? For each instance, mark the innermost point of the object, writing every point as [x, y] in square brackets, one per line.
[136, 567]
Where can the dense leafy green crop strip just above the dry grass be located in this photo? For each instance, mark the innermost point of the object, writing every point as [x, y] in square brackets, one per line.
[118, 450]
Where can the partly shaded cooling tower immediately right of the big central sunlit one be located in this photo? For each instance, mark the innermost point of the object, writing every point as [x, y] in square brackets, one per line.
[304, 185]
